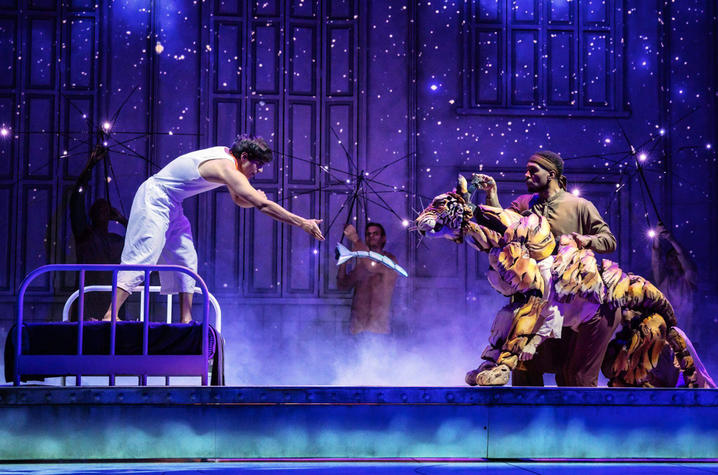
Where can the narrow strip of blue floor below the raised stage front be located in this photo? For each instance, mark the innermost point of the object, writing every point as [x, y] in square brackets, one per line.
[399, 468]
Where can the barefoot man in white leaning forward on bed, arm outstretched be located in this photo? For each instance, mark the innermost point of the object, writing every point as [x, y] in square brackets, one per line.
[158, 230]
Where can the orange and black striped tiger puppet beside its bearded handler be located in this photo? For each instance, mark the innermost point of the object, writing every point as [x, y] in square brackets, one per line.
[549, 289]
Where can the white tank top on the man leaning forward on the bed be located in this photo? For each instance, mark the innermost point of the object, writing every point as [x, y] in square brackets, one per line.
[180, 178]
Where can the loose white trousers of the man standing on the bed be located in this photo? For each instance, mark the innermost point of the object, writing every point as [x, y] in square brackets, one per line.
[158, 232]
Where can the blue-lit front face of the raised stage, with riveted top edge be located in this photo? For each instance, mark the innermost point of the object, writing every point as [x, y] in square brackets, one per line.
[43, 423]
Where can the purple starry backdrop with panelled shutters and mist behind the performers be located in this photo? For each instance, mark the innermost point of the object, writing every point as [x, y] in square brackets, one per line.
[400, 96]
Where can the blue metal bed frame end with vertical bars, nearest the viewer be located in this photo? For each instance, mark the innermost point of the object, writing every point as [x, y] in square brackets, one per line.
[111, 365]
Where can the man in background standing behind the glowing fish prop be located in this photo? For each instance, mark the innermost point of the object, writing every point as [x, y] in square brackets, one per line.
[373, 283]
